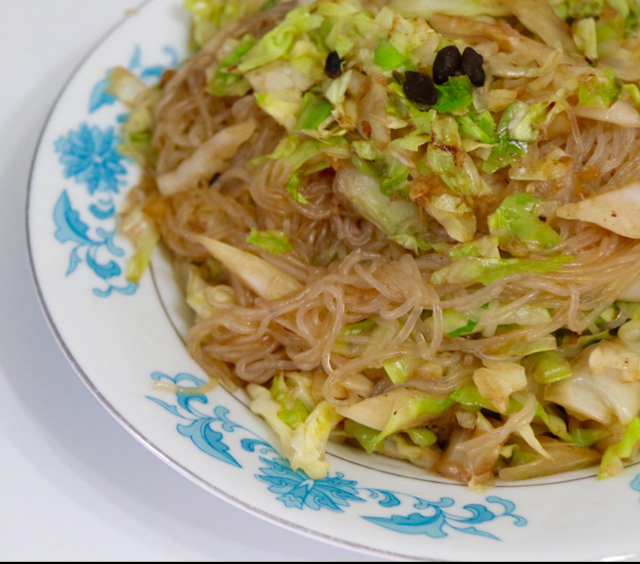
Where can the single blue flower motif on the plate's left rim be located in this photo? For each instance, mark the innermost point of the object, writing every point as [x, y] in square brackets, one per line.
[90, 156]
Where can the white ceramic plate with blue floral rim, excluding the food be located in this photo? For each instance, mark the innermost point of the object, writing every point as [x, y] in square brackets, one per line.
[122, 338]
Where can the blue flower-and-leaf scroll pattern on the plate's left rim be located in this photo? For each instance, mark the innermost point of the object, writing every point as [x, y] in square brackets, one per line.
[89, 155]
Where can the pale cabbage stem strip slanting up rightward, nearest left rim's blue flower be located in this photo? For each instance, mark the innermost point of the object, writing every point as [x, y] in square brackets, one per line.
[207, 160]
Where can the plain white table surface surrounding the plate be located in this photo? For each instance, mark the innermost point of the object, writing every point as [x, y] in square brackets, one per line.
[73, 483]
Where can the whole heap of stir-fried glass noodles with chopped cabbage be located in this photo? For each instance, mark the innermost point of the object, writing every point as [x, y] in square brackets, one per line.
[408, 226]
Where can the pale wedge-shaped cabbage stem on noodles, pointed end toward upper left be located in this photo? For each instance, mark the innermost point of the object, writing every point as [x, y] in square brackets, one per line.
[266, 280]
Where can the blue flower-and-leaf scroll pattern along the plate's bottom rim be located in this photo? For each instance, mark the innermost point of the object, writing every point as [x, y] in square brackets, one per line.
[334, 493]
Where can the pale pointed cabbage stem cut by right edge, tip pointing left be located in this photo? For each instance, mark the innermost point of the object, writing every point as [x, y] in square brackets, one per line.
[617, 210]
